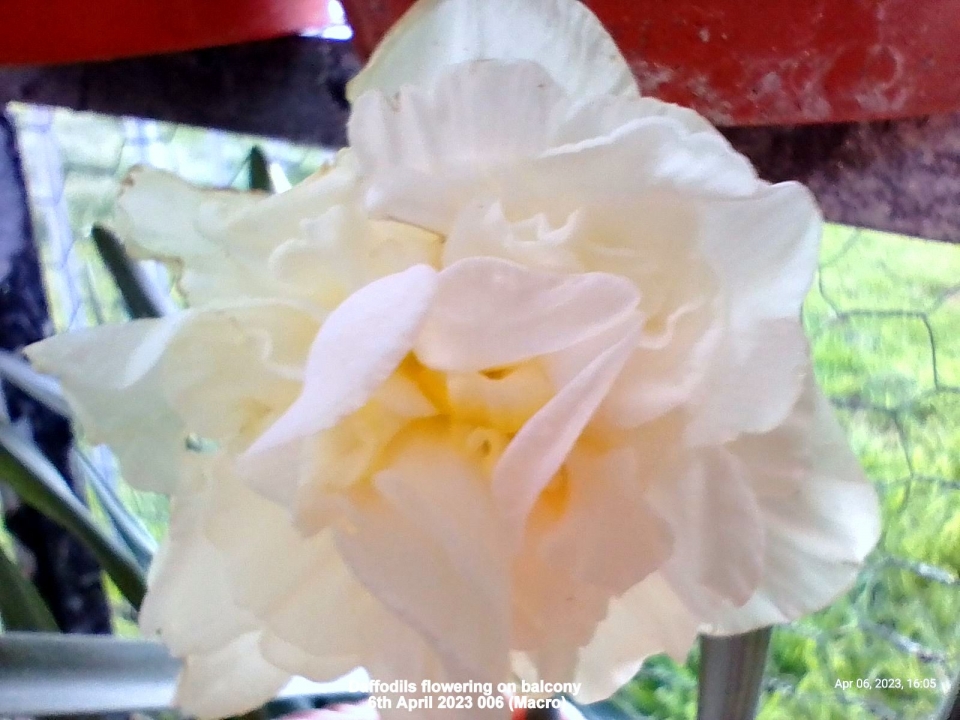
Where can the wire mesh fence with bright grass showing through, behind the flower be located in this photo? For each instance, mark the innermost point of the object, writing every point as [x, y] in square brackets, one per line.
[884, 323]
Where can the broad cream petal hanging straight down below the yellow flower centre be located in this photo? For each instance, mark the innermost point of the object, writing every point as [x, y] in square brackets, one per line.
[424, 539]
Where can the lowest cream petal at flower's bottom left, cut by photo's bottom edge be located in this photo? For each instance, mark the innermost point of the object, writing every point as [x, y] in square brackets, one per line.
[230, 681]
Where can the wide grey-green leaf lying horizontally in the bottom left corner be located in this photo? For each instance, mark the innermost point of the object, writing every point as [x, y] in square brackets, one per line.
[45, 674]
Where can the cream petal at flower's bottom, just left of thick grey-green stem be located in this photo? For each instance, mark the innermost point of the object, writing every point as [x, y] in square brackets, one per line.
[648, 619]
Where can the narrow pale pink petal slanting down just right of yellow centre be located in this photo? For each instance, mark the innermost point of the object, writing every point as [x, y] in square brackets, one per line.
[537, 452]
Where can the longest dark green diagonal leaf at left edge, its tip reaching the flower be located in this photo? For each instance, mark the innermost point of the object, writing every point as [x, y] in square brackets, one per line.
[39, 484]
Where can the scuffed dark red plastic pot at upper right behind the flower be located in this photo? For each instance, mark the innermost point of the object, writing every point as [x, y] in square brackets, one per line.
[771, 61]
